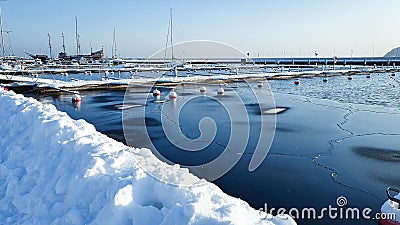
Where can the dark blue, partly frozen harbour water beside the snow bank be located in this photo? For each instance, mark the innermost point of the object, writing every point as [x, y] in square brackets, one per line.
[338, 138]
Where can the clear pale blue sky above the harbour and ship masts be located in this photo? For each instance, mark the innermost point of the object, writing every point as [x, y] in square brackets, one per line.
[265, 27]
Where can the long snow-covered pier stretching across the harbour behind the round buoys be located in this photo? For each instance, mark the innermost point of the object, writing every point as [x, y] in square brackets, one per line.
[35, 81]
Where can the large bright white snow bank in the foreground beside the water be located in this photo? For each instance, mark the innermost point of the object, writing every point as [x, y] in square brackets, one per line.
[56, 170]
